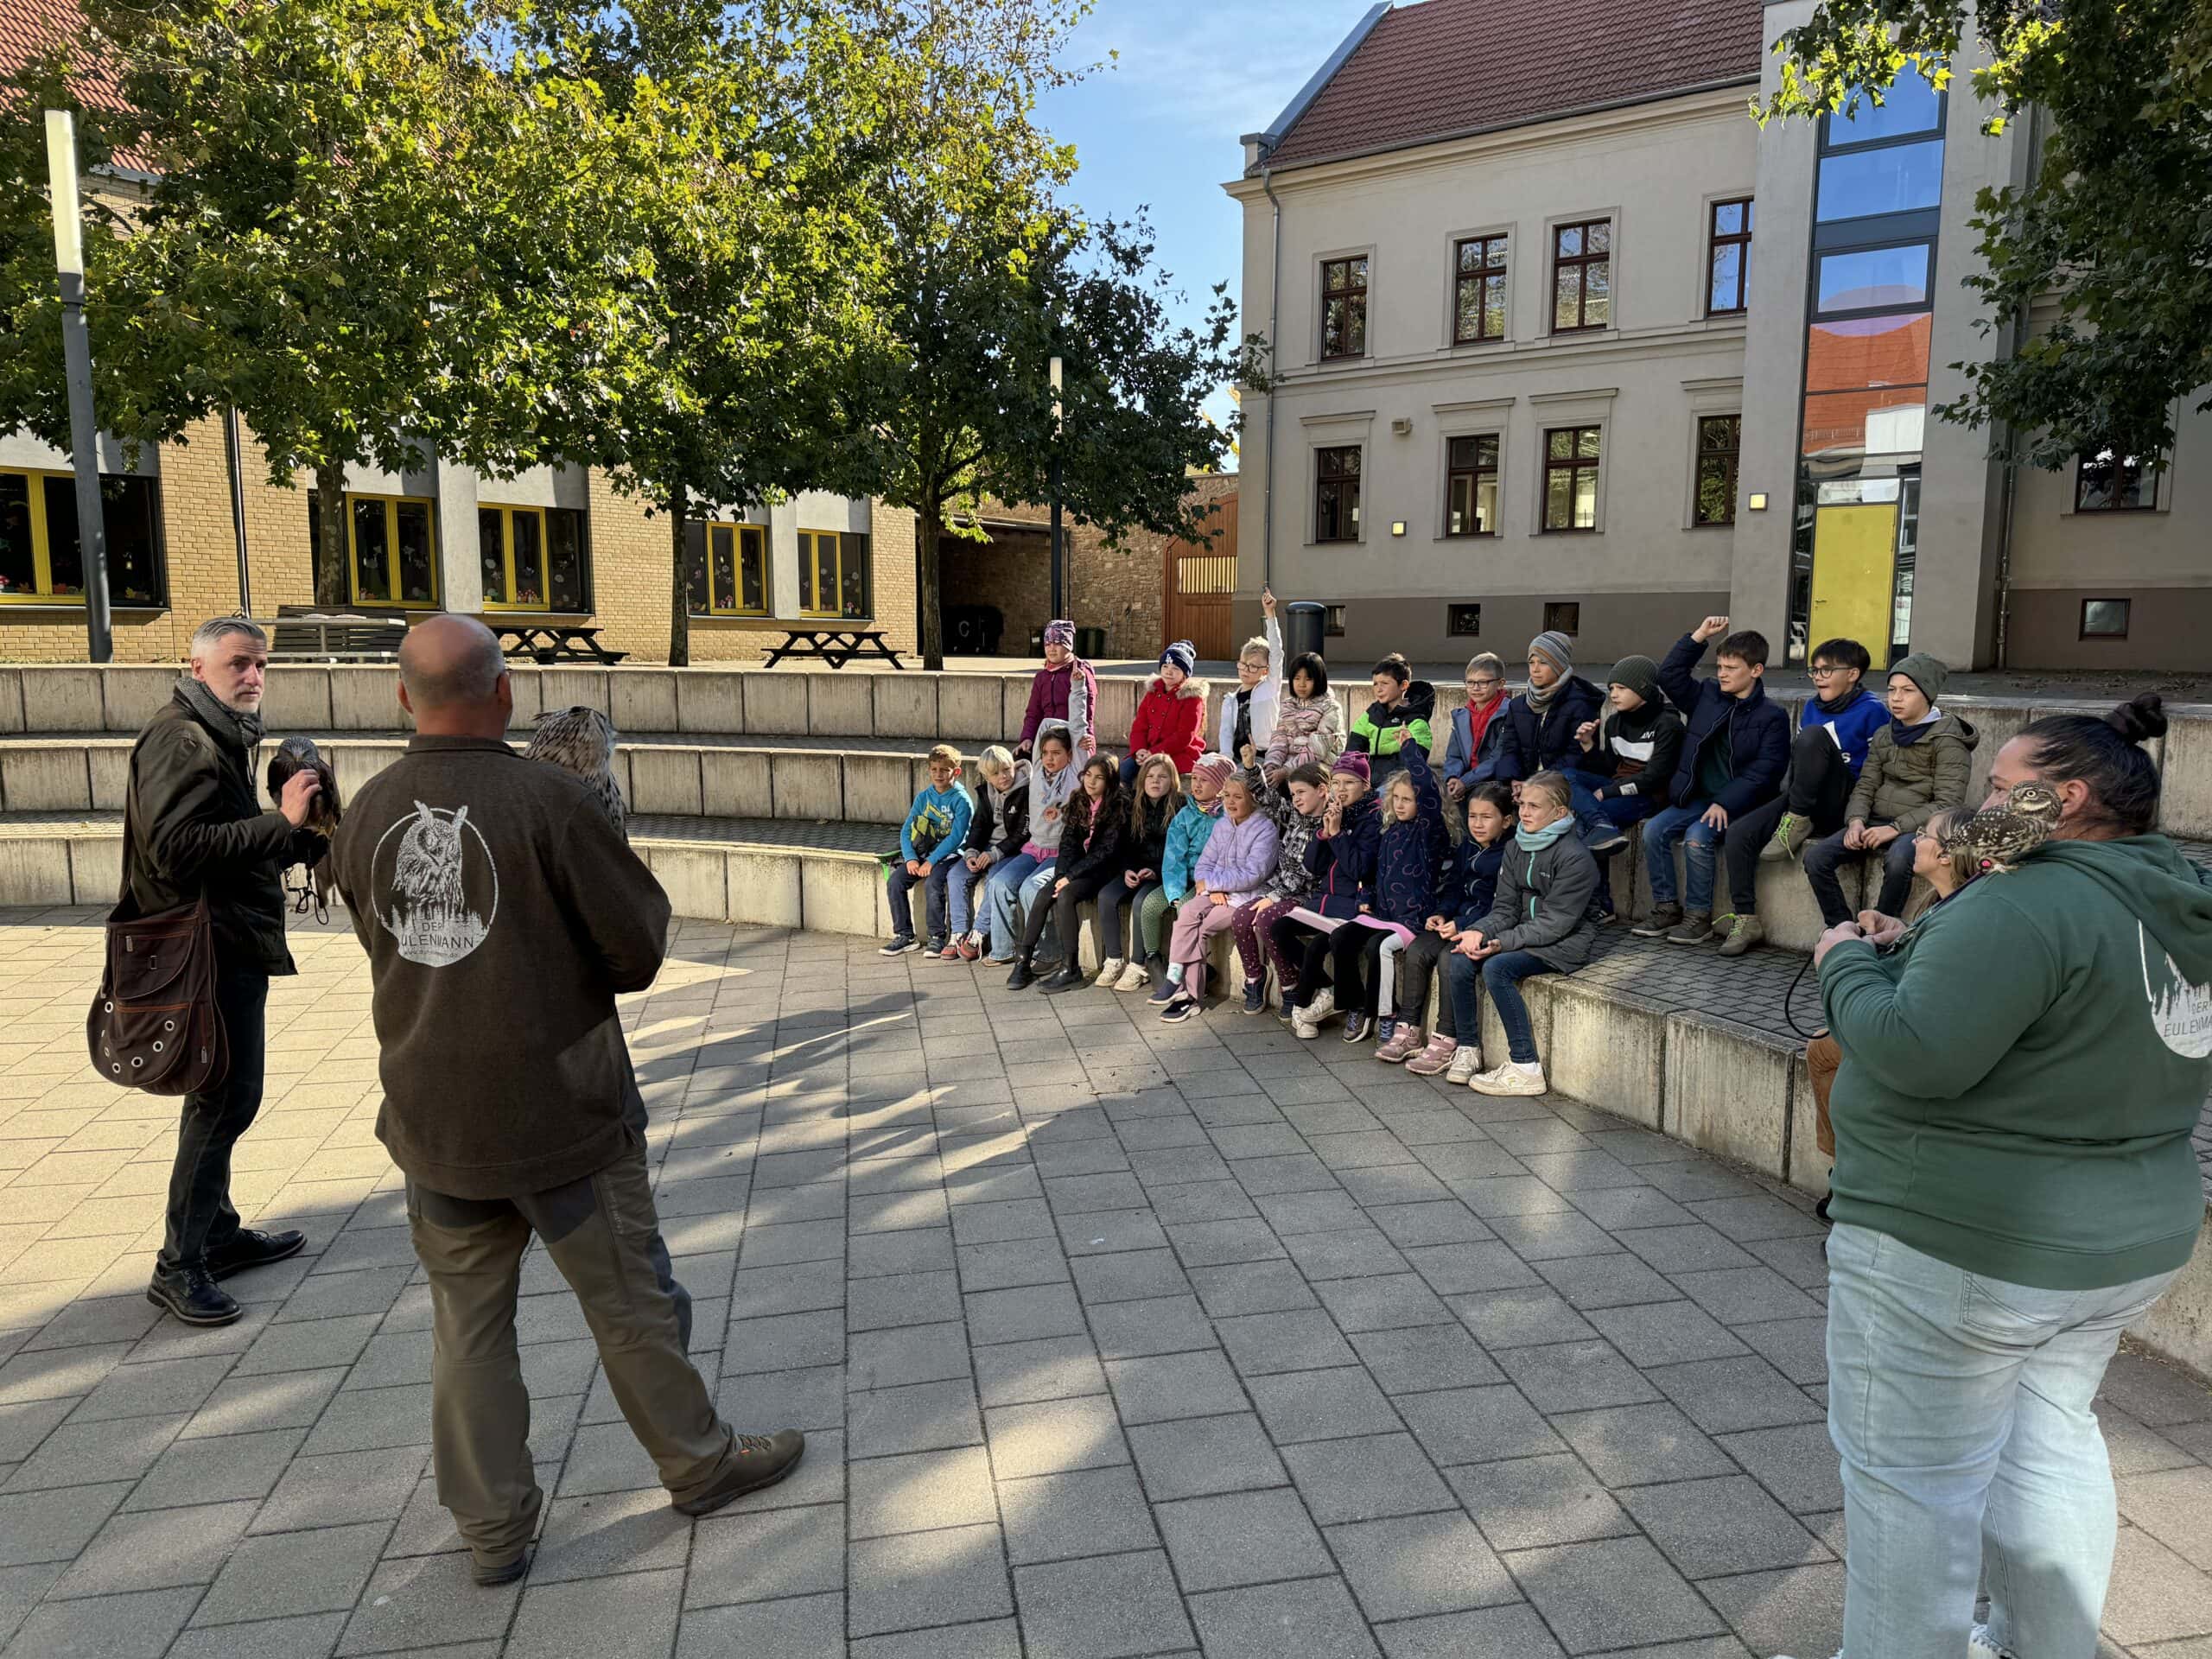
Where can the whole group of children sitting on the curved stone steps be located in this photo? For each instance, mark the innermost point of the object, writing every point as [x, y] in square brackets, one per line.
[1328, 862]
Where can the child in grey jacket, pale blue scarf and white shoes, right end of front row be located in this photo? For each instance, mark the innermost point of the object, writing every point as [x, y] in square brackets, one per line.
[1538, 924]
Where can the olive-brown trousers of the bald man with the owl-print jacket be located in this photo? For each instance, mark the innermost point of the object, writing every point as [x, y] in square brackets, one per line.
[605, 1238]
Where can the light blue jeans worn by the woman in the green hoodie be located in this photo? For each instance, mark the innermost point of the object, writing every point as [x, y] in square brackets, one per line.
[1961, 1410]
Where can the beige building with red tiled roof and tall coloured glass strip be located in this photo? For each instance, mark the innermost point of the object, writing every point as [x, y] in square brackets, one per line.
[1598, 353]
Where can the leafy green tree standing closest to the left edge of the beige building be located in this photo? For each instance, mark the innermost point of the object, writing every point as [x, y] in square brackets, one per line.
[983, 275]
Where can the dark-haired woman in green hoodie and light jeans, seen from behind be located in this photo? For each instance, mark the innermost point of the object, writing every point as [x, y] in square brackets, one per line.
[2014, 1187]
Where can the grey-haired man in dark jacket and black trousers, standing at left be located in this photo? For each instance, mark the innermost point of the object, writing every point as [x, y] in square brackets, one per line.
[196, 828]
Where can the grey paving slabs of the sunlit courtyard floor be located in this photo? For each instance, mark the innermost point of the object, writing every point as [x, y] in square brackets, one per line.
[1109, 1339]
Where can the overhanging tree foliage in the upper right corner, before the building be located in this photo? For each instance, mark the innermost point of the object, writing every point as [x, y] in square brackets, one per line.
[2103, 264]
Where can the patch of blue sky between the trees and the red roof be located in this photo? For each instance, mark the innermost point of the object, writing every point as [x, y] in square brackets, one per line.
[1160, 125]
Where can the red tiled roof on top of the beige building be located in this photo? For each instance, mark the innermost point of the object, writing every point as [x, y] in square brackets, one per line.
[1448, 67]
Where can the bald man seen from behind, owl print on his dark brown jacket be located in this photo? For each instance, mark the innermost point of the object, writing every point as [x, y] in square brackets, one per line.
[503, 915]
